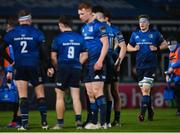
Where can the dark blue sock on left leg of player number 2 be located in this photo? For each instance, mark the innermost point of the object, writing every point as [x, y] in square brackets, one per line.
[24, 108]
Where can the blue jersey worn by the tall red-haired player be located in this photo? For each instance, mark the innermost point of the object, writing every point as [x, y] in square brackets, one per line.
[92, 33]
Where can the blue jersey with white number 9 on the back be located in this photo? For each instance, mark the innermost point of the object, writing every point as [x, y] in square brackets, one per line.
[68, 46]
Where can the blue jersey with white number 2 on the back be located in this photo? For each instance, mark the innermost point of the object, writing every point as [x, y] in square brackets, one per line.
[25, 41]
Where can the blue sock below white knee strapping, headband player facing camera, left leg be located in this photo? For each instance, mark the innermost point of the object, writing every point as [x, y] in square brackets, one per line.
[144, 104]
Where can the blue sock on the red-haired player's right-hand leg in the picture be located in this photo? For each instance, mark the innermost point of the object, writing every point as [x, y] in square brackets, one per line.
[101, 102]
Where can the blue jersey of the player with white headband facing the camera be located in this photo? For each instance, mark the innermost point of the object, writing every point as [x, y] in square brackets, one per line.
[145, 58]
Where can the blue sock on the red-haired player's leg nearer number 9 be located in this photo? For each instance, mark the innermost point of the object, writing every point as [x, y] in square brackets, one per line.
[94, 113]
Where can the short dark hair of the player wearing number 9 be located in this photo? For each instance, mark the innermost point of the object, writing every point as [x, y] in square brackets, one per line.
[66, 20]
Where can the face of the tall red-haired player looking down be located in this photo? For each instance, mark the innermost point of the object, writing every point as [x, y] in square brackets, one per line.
[85, 14]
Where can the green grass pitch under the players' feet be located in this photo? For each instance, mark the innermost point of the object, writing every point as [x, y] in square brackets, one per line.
[165, 121]
